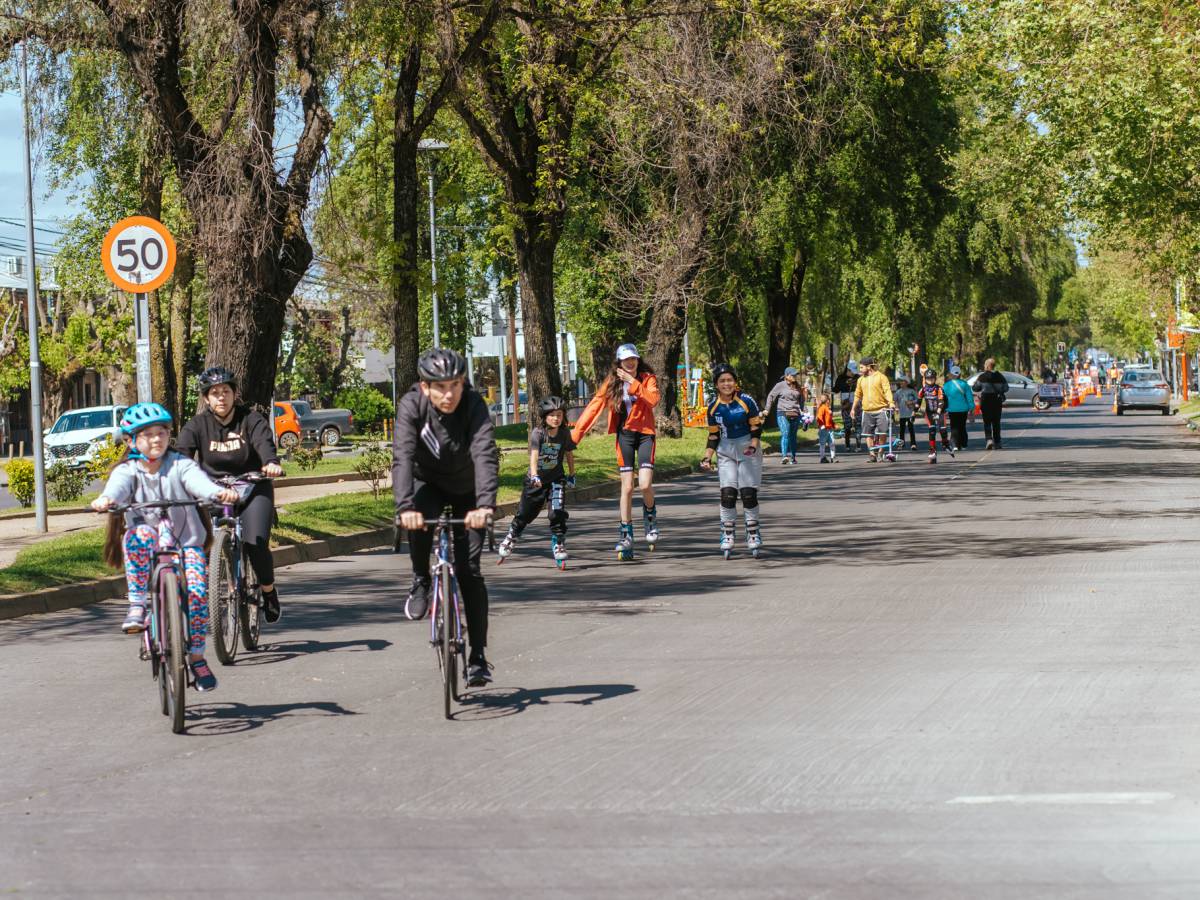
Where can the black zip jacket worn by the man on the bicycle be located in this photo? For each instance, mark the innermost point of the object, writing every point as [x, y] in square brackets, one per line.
[455, 453]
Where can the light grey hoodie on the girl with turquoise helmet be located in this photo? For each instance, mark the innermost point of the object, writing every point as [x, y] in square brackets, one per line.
[178, 479]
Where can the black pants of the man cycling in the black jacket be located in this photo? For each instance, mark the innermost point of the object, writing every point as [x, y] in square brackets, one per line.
[469, 547]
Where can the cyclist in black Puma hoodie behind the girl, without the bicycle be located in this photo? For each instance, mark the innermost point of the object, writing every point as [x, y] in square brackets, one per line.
[230, 439]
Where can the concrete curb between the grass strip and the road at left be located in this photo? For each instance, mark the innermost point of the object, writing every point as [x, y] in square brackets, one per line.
[86, 593]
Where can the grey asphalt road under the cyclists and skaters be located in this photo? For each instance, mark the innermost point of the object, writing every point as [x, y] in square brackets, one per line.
[977, 679]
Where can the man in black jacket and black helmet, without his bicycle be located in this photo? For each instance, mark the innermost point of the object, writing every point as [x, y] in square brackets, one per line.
[445, 455]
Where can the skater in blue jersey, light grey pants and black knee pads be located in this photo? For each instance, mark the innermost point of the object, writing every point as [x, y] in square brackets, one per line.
[735, 429]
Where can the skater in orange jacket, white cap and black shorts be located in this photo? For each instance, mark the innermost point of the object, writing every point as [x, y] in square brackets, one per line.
[631, 394]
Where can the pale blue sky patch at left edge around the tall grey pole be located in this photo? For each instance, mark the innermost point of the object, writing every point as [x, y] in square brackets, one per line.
[49, 211]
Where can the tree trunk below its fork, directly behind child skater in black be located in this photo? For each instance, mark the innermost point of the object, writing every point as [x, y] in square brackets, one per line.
[536, 272]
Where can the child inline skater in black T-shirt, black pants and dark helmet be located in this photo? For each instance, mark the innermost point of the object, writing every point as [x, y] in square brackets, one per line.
[550, 446]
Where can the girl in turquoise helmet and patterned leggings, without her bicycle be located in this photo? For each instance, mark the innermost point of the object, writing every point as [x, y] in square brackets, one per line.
[152, 471]
